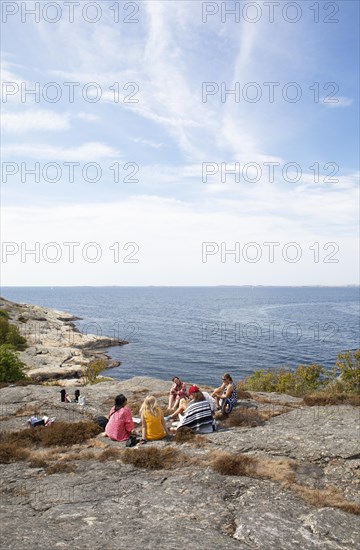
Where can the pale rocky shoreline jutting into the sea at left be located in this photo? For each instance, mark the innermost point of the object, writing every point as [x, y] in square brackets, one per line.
[56, 349]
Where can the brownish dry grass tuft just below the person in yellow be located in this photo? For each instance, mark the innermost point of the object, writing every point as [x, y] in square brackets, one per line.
[152, 458]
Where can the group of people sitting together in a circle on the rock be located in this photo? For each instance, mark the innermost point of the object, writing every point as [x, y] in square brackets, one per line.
[191, 408]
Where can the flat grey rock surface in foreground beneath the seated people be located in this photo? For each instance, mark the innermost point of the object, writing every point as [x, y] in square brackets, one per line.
[111, 505]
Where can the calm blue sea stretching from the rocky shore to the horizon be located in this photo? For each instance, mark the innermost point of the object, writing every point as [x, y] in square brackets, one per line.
[198, 333]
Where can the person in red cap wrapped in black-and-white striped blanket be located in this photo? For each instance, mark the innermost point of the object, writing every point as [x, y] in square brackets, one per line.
[198, 416]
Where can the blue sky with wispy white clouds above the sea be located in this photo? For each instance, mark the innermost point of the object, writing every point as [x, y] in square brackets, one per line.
[180, 143]
